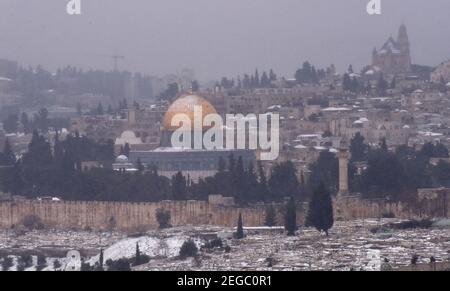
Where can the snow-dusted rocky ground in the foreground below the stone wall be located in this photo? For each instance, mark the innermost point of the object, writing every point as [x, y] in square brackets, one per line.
[351, 245]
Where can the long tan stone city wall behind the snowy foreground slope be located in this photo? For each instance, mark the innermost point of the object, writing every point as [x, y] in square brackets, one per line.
[141, 216]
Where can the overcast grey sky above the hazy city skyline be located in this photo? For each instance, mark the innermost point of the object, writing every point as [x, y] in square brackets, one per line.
[217, 37]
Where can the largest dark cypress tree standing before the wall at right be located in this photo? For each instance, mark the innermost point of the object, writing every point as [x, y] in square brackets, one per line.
[320, 213]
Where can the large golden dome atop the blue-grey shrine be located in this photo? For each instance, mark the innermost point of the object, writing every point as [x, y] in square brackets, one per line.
[185, 104]
